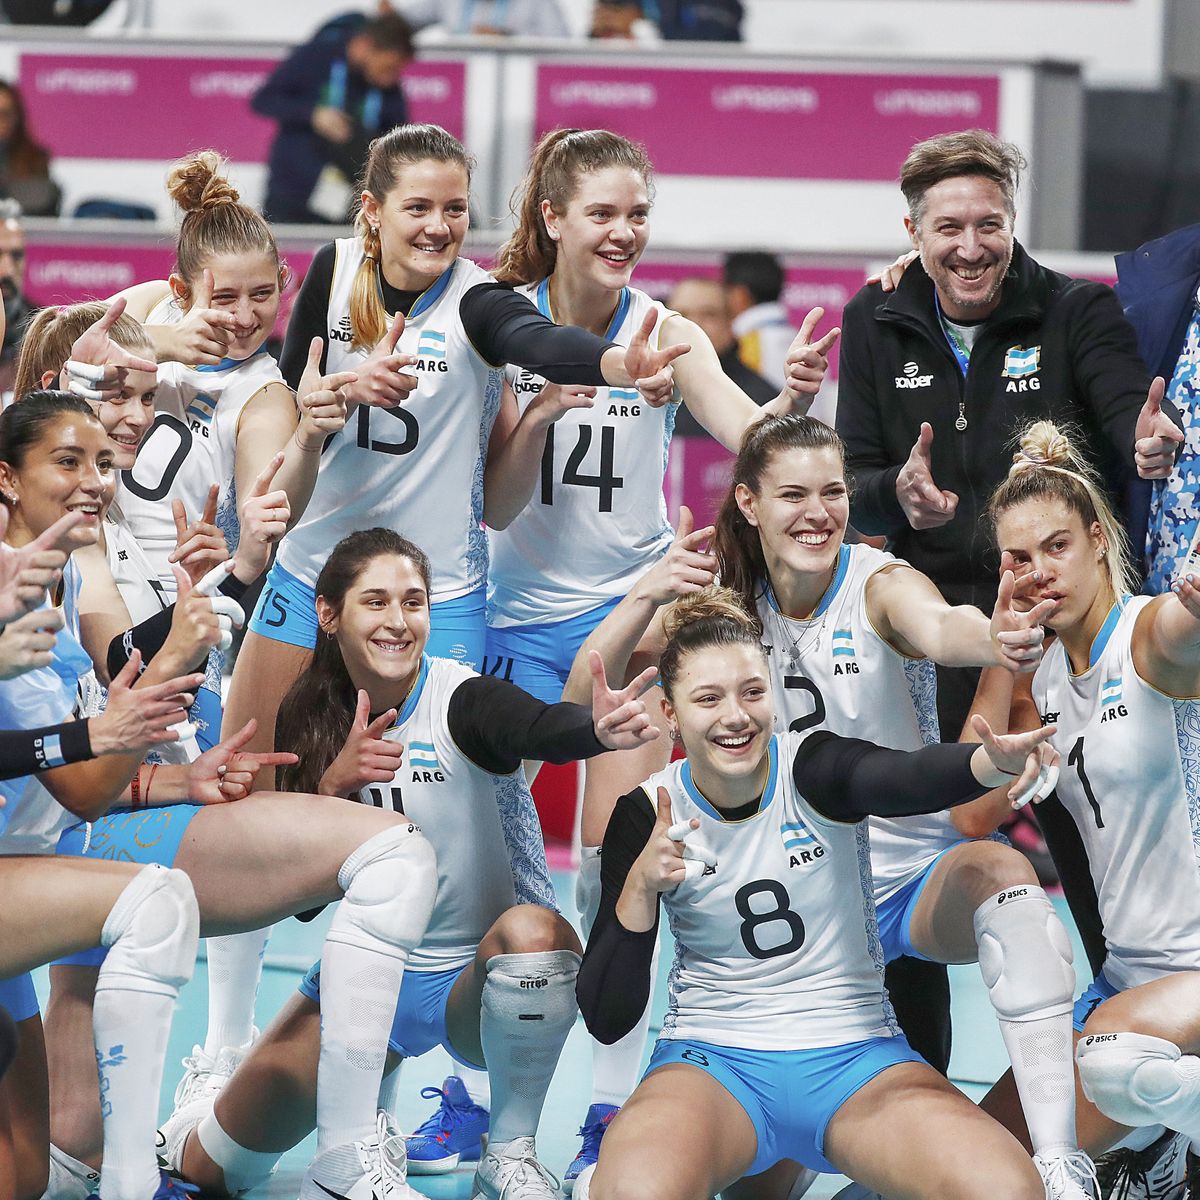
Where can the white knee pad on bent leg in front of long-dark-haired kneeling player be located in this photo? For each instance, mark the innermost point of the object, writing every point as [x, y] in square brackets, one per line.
[391, 884]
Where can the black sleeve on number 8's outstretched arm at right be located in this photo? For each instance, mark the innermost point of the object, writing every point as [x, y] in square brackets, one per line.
[847, 779]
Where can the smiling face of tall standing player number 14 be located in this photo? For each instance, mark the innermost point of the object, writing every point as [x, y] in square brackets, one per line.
[604, 230]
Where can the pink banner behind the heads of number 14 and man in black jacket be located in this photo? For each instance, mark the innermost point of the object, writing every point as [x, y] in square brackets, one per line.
[767, 124]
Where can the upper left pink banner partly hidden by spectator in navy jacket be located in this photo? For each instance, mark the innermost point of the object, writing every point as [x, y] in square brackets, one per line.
[166, 105]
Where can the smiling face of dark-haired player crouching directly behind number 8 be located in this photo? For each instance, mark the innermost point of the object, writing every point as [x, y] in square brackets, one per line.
[801, 512]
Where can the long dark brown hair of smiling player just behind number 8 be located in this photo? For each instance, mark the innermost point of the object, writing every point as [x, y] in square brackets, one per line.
[737, 545]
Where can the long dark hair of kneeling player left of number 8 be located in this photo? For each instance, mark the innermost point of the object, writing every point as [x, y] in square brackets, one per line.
[317, 712]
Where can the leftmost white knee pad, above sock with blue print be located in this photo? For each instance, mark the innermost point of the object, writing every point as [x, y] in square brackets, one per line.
[152, 934]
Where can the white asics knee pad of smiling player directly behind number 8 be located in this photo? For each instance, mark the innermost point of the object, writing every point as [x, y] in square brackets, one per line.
[1025, 955]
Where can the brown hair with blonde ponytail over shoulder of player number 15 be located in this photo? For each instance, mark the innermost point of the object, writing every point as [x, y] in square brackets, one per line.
[392, 152]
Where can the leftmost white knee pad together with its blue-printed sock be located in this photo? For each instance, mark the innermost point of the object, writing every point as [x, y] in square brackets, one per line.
[152, 934]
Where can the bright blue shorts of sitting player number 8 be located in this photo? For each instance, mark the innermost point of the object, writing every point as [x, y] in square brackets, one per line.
[790, 1096]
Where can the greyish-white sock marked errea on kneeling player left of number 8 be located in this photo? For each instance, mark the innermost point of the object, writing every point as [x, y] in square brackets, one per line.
[527, 1011]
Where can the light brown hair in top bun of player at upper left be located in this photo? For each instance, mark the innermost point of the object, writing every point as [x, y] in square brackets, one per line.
[215, 220]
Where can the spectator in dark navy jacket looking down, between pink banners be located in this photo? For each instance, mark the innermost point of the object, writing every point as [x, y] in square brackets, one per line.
[332, 97]
